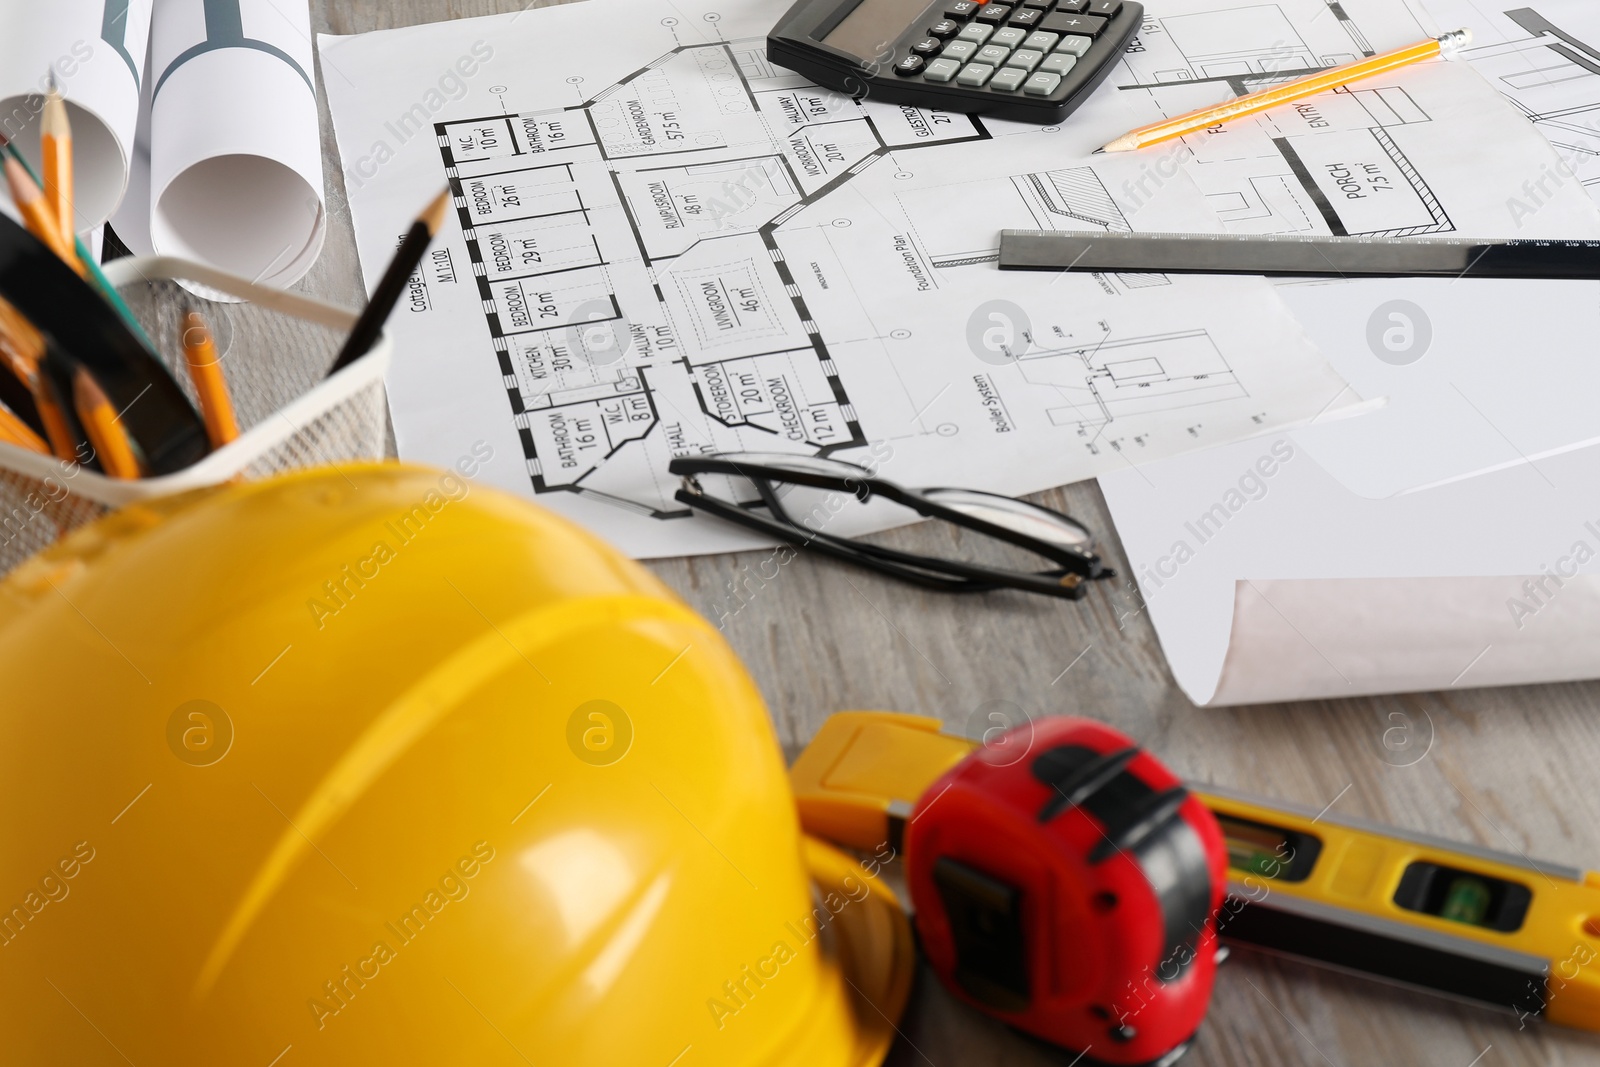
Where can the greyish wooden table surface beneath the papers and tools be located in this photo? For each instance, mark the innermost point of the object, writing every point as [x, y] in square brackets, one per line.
[1508, 769]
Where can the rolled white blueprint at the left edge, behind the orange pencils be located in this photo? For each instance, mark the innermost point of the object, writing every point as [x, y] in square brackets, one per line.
[95, 50]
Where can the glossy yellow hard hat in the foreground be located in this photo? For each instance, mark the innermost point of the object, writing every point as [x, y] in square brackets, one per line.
[378, 765]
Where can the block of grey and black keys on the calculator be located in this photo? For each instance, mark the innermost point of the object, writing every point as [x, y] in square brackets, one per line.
[1018, 47]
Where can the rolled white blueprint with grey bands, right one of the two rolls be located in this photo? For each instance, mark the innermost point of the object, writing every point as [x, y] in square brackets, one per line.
[236, 158]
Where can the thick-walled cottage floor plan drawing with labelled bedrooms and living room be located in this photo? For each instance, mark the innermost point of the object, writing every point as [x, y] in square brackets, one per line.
[668, 321]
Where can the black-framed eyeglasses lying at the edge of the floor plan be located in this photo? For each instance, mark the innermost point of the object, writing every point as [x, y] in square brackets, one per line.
[1066, 581]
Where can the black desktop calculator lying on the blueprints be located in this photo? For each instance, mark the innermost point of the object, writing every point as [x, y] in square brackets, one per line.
[1028, 60]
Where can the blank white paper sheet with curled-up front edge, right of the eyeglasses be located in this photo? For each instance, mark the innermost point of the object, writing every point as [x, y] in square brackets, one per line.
[1268, 516]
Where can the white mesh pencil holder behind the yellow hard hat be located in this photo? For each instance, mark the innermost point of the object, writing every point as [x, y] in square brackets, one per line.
[274, 351]
